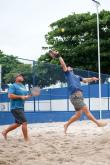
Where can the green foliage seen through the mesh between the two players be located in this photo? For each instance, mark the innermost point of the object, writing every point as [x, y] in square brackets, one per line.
[46, 74]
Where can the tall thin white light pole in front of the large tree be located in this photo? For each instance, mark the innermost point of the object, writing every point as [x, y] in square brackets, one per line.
[99, 67]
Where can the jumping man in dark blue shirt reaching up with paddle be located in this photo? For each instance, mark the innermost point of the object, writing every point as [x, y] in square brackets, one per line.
[76, 93]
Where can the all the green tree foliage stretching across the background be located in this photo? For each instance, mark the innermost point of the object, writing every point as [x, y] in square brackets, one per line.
[75, 37]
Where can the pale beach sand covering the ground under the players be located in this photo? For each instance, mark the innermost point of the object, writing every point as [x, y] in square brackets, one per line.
[85, 144]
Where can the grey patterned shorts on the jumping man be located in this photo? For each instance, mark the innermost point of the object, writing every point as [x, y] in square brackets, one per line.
[77, 100]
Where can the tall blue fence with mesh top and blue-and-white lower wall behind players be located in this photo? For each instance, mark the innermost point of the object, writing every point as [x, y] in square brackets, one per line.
[53, 104]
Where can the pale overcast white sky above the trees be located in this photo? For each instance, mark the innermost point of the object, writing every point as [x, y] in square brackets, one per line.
[24, 23]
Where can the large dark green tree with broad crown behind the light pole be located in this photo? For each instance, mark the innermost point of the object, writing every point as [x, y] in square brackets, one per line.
[75, 37]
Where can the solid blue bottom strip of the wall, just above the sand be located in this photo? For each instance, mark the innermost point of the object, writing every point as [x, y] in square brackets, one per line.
[42, 117]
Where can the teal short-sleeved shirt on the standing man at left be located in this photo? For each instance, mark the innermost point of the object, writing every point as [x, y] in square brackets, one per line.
[17, 89]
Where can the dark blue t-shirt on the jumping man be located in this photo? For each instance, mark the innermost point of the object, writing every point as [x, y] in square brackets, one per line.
[73, 81]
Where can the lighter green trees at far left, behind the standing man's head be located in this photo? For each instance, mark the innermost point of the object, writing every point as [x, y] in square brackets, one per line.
[11, 65]
